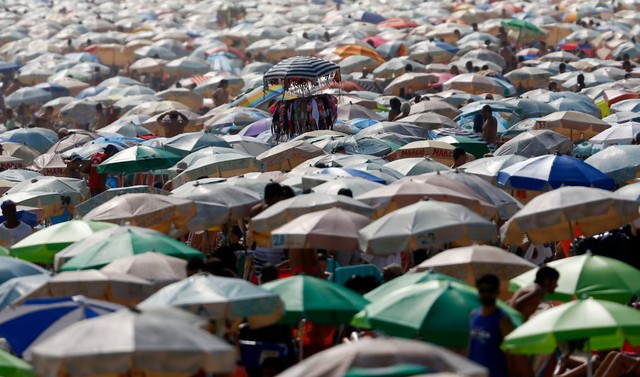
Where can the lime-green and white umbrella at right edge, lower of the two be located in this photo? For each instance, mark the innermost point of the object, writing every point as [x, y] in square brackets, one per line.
[601, 324]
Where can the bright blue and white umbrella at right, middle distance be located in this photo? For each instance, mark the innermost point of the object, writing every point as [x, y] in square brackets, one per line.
[553, 171]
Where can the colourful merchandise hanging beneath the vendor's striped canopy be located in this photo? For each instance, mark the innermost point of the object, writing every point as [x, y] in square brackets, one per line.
[297, 116]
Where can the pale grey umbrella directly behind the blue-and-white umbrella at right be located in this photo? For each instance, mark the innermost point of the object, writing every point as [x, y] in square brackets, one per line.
[535, 143]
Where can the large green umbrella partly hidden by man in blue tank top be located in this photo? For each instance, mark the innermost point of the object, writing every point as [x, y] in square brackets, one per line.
[437, 311]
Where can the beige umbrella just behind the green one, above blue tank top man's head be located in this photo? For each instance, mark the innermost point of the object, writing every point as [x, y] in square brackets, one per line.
[472, 262]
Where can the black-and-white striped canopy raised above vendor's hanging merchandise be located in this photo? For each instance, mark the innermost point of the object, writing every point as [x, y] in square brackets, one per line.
[301, 72]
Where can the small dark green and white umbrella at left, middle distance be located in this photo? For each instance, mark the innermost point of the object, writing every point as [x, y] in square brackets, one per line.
[137, 159]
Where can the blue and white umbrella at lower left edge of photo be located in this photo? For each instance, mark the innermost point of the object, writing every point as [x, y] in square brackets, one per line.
[38, 319]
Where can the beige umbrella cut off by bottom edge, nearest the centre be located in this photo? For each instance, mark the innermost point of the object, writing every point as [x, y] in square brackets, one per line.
[379, 356]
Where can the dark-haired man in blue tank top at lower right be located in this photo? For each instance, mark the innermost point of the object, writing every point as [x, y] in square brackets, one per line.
[489, 325]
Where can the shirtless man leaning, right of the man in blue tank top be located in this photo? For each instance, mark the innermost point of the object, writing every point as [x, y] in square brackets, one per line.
[527, 299]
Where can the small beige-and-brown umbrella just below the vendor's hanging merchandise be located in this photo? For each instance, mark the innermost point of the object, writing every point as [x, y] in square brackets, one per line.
[288, 155]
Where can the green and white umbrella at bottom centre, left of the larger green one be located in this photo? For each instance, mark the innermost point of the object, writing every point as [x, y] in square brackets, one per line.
[317, 300]
